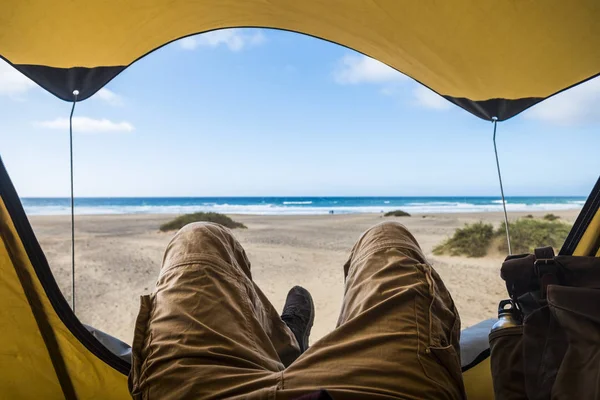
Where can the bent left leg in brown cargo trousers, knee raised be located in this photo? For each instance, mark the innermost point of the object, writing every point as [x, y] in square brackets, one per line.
[208, 332]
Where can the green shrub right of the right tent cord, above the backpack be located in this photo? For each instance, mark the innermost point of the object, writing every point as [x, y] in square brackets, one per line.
[527, 234]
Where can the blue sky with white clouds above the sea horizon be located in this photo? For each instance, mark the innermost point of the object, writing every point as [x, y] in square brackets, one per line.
[258, 112]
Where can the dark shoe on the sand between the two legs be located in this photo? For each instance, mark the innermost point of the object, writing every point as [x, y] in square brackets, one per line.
[299, 315]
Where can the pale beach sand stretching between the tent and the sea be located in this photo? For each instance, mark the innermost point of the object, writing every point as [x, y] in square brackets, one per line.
[118, 258]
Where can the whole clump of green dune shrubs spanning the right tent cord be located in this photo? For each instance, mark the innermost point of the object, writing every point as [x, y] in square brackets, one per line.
[476, 240]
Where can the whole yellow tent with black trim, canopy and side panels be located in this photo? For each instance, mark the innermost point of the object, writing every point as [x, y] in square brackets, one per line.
[492, 58]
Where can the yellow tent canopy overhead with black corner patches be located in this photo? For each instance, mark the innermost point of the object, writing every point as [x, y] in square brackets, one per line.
[492, 58]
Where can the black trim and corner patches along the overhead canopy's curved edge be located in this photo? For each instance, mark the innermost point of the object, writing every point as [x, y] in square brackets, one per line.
[90, 80]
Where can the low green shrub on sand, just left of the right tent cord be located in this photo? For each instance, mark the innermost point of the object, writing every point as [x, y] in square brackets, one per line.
[472, 241]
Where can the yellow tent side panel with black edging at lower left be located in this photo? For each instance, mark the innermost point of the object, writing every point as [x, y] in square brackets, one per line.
[47, 353]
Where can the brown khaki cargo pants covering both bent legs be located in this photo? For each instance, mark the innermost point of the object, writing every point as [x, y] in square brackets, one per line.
[208, 332]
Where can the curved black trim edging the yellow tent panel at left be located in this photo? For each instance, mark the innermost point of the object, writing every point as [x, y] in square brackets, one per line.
[44, 274]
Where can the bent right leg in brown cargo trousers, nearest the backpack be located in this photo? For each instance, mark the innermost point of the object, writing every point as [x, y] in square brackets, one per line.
[398, 331]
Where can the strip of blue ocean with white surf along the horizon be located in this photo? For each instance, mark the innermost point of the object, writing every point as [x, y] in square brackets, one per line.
[293, 205]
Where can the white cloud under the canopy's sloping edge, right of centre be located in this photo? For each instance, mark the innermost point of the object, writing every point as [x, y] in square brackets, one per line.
[354, 69]
